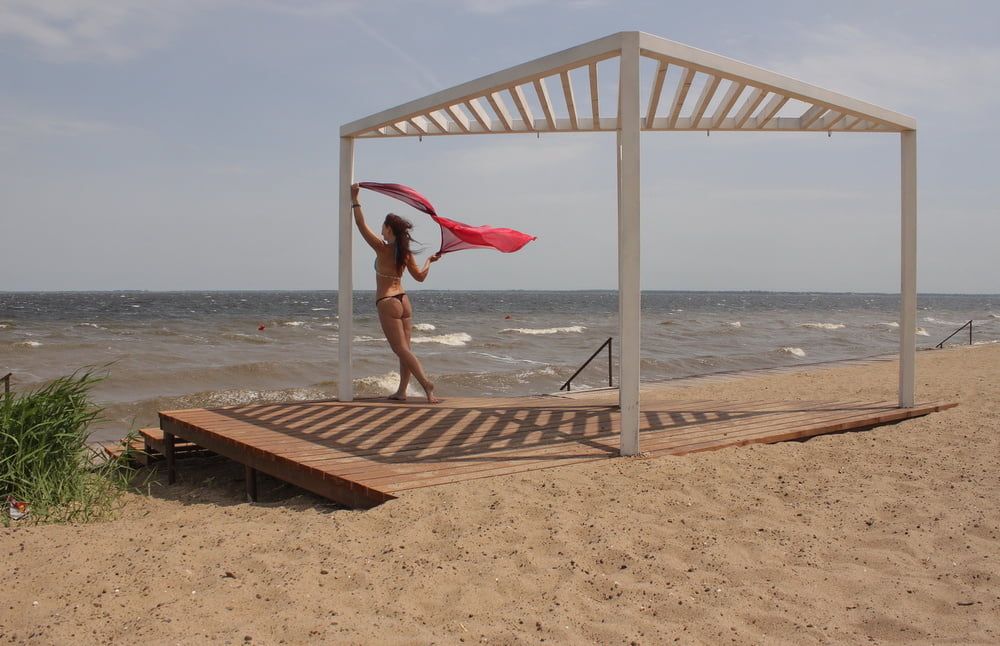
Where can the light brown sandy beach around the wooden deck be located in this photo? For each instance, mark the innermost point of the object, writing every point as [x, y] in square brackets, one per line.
[885, 536]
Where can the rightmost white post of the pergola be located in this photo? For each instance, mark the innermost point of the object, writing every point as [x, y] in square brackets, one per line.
[908, 269]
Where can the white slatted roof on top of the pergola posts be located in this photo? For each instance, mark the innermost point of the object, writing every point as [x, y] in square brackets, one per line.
[690, 89]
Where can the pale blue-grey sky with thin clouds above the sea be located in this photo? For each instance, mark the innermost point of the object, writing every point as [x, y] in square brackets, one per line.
[194, 145]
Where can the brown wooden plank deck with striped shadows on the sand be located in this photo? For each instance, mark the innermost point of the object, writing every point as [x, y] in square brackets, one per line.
[366, 452]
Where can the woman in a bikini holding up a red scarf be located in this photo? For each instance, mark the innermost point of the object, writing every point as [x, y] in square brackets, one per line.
[392, 254]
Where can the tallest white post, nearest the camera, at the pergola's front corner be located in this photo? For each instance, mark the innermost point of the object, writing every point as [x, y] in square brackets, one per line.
[629, 328]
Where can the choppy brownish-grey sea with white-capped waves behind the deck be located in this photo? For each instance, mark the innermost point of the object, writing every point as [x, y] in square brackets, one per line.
[168, 350]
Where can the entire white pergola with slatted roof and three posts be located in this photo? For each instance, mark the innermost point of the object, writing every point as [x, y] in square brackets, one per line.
[707, 92]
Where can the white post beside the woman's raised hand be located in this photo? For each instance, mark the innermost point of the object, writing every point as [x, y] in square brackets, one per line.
[345, 289]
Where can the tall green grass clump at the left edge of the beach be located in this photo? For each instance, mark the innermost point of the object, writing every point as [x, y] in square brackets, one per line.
[44, 456]
